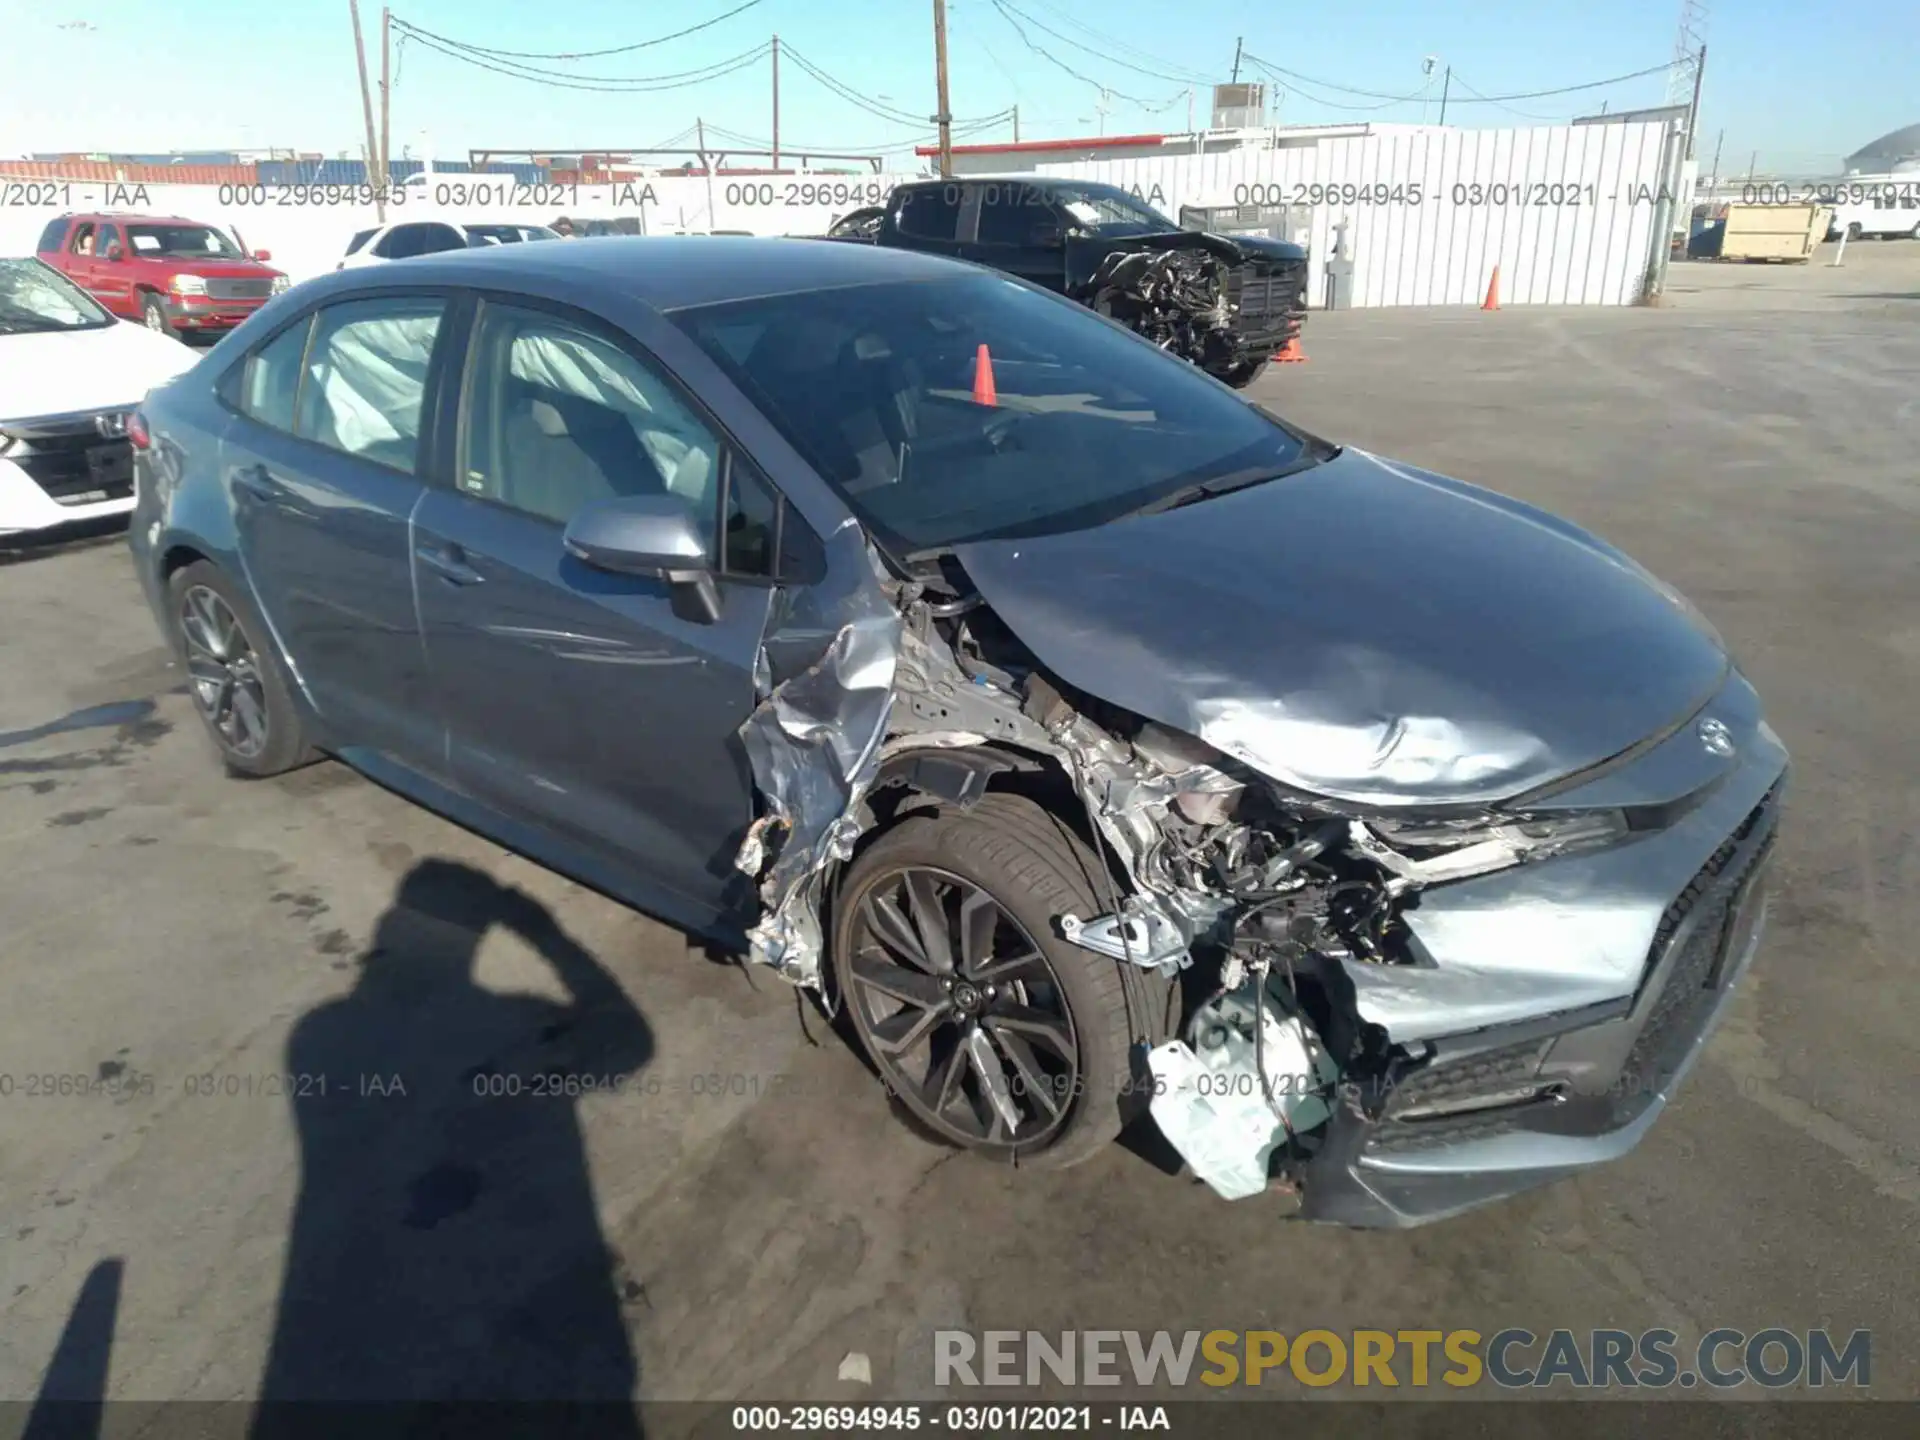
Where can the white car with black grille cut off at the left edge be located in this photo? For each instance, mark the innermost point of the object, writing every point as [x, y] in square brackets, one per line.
[70, 379]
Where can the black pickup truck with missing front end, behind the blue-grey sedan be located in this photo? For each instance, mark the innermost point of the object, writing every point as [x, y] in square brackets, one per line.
[1226, 304]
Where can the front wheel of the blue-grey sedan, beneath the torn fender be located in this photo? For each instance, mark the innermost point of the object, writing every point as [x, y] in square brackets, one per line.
[988, 1028]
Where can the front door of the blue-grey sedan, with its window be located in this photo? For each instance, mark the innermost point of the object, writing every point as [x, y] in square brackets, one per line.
[581, 702]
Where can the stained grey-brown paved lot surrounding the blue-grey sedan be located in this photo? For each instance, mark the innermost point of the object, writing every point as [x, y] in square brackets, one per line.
[740, 1236]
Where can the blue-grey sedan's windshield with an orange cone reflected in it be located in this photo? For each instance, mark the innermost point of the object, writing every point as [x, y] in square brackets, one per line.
[886, 391]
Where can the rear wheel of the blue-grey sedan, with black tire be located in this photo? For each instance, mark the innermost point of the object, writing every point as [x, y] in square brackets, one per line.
[254, 681]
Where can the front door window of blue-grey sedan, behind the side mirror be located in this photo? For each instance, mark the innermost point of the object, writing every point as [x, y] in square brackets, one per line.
[562, 416]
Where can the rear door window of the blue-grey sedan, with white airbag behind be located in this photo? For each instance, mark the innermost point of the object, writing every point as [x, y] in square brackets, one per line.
[366, 377]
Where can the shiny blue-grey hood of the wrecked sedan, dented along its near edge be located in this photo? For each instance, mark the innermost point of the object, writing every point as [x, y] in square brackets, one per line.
[1364, 631]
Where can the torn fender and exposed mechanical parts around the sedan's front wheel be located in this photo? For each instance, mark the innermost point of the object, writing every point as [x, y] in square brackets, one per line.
[1262, 903]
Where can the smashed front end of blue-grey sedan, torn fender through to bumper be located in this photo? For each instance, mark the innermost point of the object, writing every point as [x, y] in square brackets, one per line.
[1391, 1017]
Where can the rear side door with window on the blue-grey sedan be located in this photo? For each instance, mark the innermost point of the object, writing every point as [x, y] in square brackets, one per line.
[324, 466]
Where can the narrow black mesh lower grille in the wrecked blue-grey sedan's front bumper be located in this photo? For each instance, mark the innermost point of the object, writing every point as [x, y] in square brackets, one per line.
[1692, 986]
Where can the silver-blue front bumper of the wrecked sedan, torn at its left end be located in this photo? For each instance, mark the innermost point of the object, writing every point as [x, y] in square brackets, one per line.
[1669, 923]
